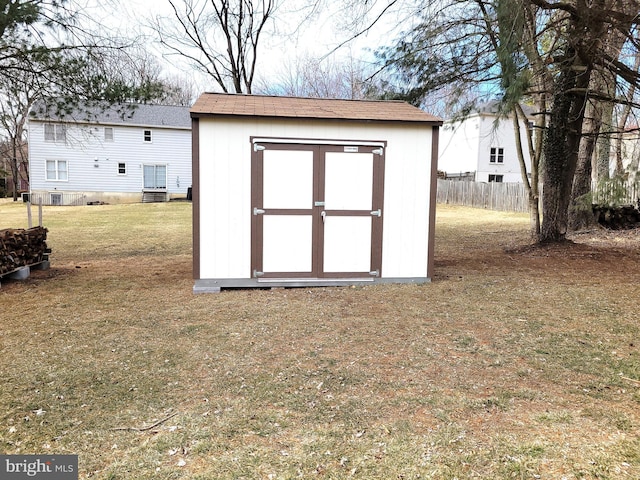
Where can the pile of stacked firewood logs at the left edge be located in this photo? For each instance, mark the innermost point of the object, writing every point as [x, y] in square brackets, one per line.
[21, 248]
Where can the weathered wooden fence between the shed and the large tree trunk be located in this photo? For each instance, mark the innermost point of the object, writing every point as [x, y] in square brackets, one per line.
[510, 197]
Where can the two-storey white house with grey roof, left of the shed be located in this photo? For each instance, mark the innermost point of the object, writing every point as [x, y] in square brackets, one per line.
[121, 154]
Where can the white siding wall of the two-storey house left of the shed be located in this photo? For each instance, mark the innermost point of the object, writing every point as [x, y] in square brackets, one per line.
[85, 145]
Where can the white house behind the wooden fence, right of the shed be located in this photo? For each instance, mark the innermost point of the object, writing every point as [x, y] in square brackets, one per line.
[482, 147]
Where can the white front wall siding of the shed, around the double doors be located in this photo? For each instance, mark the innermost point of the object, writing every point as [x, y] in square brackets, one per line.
[225, 176]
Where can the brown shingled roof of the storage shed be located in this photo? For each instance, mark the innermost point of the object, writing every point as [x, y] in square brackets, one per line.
[214, 104]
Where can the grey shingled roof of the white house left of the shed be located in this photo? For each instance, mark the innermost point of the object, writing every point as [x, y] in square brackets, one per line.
[167, 116]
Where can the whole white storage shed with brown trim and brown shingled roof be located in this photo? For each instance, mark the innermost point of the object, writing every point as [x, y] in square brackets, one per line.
[291, 192]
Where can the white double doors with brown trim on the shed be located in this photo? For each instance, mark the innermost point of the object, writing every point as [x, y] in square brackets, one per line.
[317, 210]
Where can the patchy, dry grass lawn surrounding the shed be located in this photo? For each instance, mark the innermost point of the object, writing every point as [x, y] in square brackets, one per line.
[515, 362]
